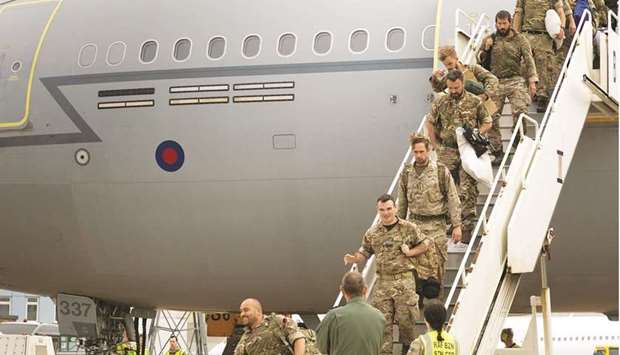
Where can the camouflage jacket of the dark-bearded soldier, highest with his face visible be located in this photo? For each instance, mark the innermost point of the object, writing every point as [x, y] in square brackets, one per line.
[507, 54]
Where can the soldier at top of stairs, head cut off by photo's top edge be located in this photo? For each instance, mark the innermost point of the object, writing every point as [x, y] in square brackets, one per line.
[530, 19]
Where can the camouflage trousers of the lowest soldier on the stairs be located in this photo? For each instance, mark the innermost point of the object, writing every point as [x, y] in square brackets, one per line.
[398, 301]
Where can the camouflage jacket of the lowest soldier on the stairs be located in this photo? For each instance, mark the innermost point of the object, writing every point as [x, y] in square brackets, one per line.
[385, 244]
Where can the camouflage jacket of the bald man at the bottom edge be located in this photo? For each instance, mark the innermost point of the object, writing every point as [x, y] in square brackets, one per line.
[268, 337]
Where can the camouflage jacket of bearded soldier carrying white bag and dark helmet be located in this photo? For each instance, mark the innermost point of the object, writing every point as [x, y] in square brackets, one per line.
[448, 113]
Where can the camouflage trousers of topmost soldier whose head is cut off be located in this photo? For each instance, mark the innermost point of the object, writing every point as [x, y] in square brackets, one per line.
[542, 50]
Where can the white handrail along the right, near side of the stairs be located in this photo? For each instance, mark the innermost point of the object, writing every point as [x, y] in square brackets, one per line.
[519, 129]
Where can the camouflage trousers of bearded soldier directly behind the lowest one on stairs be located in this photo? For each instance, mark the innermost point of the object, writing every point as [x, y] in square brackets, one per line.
[433, 262]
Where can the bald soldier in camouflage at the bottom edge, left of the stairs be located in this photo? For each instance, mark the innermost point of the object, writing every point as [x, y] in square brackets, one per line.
[272, 334]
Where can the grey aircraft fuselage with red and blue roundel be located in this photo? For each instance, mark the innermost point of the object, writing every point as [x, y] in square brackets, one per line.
[290, 127]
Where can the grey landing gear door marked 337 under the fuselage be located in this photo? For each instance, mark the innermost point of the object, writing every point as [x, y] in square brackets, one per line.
[77, 316]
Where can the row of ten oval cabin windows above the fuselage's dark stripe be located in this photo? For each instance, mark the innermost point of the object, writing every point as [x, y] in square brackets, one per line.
[251, 47]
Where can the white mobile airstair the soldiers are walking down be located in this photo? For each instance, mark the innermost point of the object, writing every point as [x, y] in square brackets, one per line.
[514, 215]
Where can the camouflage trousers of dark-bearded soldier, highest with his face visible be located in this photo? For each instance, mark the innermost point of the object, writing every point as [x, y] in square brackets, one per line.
[515, 90]
